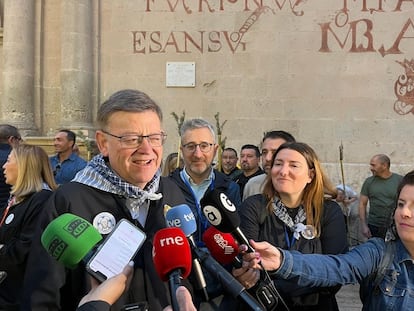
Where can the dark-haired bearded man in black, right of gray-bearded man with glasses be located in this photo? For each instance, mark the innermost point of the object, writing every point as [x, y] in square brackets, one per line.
[249, 163]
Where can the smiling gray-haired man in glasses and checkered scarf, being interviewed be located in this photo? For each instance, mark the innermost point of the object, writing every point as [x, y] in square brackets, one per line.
[123, 181]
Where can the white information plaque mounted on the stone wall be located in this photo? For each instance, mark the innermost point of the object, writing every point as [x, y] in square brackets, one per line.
[180, 74]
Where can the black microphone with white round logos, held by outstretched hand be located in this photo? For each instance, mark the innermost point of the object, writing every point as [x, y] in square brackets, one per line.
[222, 214]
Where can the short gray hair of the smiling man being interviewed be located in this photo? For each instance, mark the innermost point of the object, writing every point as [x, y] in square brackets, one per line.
[129, 101]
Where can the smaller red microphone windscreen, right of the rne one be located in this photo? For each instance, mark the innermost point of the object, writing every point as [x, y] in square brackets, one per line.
[223, 247]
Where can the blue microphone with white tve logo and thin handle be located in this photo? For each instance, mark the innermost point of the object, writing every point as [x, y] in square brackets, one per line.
[182, 217]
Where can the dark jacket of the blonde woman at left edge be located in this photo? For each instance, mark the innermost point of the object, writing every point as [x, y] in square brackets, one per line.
[17, 234]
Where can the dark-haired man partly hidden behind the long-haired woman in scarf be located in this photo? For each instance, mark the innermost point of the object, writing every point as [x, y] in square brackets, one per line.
[271, 141]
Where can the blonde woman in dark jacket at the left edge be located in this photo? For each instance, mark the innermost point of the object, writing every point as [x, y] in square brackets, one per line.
[29, 173]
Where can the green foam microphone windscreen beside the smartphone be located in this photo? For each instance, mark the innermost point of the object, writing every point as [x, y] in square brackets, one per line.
[69, 238]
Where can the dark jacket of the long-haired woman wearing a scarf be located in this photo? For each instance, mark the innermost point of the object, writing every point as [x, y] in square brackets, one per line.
[259, 225]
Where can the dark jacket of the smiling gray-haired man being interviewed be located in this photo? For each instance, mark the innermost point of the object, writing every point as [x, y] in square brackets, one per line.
[51, 287]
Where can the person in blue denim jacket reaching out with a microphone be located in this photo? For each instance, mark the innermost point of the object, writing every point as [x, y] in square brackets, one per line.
[386, 284]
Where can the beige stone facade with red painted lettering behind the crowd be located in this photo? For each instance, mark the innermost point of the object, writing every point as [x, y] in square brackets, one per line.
[327, 71]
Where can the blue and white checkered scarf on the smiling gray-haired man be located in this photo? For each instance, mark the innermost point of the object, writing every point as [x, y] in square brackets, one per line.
[99, 175]
